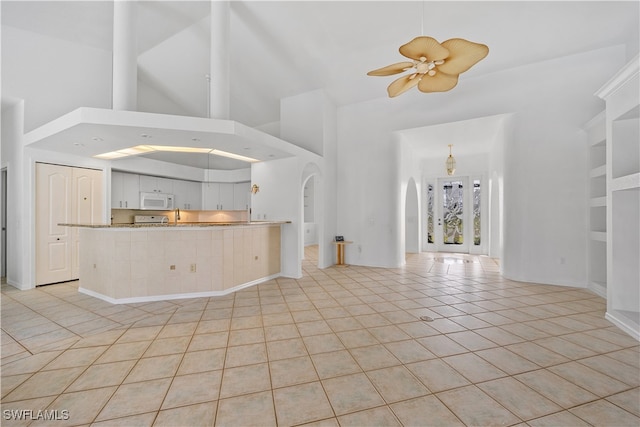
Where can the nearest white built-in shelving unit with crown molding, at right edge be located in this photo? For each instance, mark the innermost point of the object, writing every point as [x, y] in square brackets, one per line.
[622, 96]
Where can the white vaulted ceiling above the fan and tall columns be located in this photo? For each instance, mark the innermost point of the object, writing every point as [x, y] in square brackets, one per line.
[284, 48]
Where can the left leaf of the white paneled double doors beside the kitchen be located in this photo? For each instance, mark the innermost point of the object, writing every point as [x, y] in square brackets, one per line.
[53, 206]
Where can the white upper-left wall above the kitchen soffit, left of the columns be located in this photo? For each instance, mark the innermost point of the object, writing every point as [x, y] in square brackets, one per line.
[53, 76]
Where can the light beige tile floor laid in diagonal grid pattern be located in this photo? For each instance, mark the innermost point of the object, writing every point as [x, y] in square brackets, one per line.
[341, 346]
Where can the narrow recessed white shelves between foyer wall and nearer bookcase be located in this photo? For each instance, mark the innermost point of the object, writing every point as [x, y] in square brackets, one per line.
[597, 246]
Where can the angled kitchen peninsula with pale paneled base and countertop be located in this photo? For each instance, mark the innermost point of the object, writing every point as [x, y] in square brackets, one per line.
[128, 263]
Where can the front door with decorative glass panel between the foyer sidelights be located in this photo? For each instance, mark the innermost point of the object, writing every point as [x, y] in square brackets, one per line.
[453, 215]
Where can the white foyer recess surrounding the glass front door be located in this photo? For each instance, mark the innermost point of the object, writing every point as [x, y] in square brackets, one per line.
[478, 146]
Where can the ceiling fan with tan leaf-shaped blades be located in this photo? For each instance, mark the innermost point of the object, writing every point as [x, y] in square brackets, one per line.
[434, 67]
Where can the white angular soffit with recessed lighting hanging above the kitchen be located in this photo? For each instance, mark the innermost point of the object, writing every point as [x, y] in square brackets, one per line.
[89, 132]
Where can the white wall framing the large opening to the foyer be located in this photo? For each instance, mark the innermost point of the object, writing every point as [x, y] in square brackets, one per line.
[544, 223]
